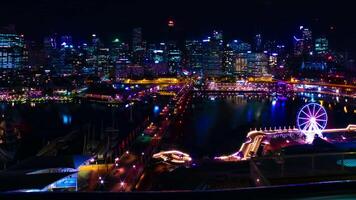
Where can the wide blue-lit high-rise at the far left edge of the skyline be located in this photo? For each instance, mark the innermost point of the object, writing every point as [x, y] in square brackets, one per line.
[12, 51]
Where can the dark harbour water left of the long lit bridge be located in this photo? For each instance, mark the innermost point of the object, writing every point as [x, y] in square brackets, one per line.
[44, 122]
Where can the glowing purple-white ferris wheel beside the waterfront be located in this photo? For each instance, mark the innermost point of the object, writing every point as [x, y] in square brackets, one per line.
[311, 120]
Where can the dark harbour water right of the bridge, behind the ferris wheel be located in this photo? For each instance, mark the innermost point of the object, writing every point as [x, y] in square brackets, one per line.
[218, 125]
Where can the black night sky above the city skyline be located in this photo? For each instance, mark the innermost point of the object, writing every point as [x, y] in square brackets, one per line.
[275, 19]
